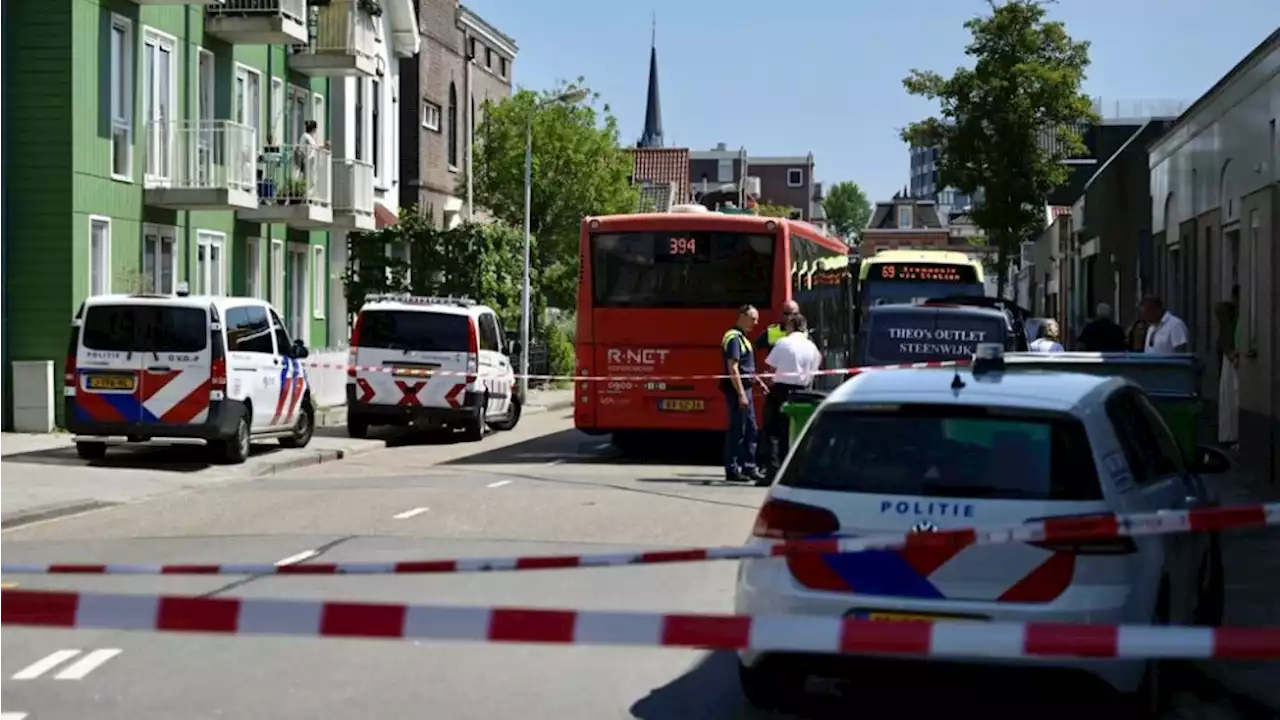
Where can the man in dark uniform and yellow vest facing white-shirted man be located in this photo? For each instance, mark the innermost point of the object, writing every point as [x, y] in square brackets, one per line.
[740, 438]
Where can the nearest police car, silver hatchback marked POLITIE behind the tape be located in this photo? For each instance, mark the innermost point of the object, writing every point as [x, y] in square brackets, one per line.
[939, 449]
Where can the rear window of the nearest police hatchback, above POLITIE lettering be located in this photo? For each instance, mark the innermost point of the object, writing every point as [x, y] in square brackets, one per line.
[947, 452]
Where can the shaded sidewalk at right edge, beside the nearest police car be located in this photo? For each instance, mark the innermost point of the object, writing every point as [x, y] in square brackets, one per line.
[1251, 560]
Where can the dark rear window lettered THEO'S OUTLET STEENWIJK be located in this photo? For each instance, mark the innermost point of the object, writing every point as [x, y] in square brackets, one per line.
[920, 336]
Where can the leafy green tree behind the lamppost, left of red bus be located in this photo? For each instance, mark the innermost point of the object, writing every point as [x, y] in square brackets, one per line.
[579, 170]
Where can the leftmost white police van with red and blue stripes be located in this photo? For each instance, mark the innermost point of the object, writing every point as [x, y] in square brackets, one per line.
[175, 368]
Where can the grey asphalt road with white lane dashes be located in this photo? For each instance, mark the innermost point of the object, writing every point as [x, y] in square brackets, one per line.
[542, 489]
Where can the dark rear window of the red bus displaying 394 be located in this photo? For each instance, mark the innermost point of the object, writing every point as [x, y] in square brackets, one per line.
[682, 270]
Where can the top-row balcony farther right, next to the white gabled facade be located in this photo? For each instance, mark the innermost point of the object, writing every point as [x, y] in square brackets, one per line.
[344, 42]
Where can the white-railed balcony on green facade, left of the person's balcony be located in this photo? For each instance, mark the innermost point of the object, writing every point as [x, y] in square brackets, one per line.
[200, 166]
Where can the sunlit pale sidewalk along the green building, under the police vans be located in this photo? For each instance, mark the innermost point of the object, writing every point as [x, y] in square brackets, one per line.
[43, 479]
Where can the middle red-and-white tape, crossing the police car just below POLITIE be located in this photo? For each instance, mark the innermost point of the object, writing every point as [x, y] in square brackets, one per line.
[1057, 531]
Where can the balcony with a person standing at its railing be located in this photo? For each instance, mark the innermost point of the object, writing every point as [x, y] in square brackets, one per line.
[295, 188]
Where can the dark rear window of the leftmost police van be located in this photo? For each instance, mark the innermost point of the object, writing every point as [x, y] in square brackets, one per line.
[145, 329]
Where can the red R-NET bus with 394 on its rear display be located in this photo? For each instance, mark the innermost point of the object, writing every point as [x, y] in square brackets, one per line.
[657, 294]
